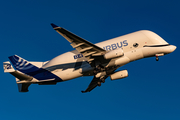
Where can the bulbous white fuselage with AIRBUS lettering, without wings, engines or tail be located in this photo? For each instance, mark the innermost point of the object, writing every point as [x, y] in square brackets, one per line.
[135, 46]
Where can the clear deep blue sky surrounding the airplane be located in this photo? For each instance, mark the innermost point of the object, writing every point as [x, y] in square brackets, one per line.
[152, 90]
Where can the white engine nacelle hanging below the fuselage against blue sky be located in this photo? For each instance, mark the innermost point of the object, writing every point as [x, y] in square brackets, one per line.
[119, 75]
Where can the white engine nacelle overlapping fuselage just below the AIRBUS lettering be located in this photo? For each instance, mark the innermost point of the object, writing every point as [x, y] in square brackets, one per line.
[114, 54]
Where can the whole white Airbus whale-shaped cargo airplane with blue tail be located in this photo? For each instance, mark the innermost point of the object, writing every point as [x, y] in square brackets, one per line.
[99, 60]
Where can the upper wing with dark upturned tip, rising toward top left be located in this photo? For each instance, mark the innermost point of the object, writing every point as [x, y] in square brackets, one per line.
[87, 49]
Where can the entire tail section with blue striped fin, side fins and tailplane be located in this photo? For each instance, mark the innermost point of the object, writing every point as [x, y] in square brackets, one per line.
[26, 72]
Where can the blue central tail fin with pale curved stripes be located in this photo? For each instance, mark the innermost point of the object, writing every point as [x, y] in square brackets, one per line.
[23, 65]
